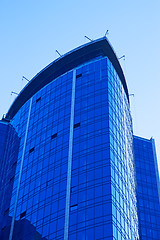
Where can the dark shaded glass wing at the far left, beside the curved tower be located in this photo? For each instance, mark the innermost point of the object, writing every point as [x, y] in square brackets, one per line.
[9, 144]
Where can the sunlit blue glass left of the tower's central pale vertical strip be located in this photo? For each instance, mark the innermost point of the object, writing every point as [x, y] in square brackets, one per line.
[42, 192]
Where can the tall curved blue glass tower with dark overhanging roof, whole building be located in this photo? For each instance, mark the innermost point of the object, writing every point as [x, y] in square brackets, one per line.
[72, 167]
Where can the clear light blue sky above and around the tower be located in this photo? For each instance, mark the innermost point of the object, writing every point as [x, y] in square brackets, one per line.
[32, 30]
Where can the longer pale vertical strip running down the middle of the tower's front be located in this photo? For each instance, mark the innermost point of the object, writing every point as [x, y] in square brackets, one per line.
[68, 190]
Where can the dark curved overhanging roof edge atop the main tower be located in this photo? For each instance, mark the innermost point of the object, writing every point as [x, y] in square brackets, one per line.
[70, 60]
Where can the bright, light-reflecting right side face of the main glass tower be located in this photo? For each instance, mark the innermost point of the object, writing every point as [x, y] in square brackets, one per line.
[124, 212]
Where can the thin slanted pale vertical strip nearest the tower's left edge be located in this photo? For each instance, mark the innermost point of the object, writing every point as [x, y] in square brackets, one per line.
[20, 172]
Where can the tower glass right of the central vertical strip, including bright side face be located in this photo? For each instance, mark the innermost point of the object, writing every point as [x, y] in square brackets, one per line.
[99, 158]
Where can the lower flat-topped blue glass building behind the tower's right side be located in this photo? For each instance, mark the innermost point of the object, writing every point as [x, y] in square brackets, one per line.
[147, 188]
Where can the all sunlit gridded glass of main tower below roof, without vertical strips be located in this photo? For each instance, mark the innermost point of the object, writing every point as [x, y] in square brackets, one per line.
[102, 198]
